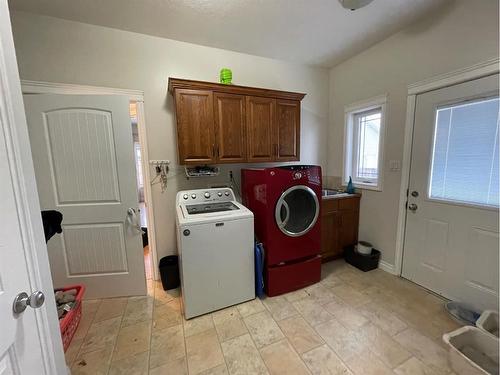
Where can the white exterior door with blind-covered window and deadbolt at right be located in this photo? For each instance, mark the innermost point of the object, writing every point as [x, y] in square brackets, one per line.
[451, 241]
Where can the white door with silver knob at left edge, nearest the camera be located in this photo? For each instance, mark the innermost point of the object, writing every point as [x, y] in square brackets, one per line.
[30, 342]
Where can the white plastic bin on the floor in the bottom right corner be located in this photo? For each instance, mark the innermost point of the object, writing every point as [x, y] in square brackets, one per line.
[472, 351]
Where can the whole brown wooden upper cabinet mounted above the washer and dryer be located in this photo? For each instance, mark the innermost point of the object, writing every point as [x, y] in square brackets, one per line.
[219, 123]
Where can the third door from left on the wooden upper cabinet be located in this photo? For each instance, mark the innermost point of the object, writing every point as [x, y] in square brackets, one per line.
[260, 125]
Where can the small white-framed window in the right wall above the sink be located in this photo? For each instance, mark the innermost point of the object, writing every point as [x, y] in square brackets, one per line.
[364, 143]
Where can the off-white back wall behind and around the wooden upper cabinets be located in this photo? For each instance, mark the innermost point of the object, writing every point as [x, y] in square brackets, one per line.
[50, 49]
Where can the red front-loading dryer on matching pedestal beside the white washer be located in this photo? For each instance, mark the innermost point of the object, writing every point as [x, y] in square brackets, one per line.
[286, 206]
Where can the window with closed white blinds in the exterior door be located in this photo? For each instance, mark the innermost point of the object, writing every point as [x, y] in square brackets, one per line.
[464, 166]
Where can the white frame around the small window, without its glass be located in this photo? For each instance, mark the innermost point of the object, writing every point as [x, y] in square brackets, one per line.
[379, 102]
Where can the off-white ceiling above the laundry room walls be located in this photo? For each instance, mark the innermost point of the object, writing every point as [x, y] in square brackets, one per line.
[314, 32]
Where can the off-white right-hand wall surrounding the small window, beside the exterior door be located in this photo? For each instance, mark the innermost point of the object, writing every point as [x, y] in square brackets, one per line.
[461, 34]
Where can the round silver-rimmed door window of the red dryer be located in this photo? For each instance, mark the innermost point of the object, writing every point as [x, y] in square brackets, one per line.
[297, 210]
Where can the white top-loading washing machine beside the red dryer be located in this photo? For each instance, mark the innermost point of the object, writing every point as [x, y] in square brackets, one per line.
[215, 239]
